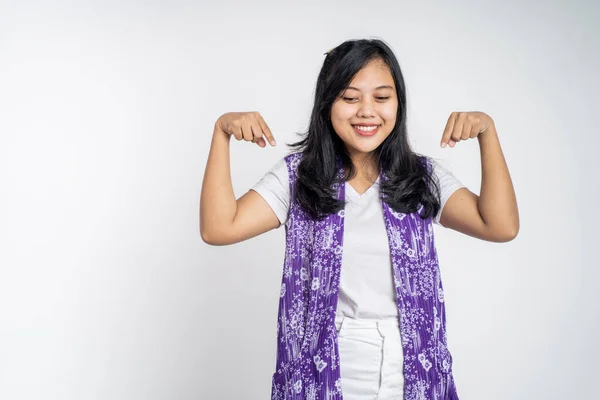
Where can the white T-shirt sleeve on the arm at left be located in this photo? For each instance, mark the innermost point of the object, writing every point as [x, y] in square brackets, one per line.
[274, 188]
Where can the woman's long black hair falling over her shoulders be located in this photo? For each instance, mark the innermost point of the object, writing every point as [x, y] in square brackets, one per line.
[410, 182]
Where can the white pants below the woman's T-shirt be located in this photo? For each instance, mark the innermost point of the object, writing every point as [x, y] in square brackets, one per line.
[371, 358]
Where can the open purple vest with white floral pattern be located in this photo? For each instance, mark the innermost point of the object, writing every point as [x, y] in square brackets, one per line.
[308, 362]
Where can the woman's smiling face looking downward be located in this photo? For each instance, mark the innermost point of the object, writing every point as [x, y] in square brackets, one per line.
[365, 114]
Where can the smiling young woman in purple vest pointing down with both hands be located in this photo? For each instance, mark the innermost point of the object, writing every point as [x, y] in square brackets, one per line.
[361, 312]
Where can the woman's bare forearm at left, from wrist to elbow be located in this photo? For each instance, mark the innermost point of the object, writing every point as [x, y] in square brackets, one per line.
[218, 204]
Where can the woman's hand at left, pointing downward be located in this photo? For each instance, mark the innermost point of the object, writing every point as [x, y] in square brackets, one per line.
[249, 126]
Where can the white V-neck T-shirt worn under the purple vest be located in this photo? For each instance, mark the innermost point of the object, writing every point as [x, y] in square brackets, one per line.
[367, 287]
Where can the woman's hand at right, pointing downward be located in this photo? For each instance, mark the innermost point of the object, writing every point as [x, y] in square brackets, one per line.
[465, 125]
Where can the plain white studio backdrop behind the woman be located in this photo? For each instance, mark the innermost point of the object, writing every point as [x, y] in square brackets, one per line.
[106, 115]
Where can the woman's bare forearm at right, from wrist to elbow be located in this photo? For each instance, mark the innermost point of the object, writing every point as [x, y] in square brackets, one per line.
[497, 200]
